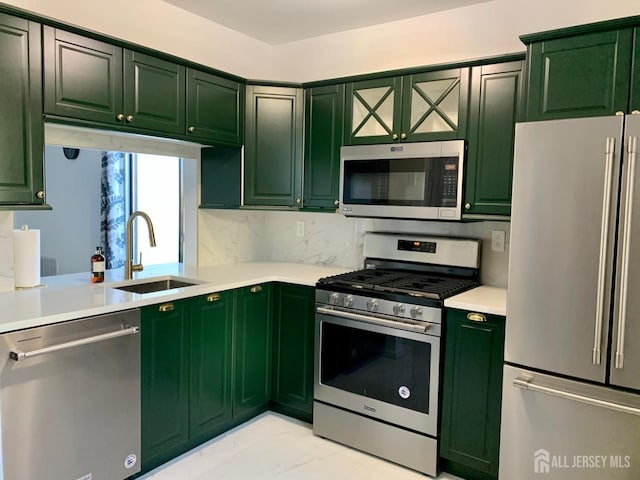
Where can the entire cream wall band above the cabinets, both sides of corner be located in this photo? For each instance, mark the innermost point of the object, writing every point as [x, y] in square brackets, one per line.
[486, 29]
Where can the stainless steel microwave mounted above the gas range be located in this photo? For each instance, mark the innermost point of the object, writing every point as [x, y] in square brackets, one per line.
[410, 180]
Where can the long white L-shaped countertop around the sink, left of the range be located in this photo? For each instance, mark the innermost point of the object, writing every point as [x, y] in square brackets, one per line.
[66, 297]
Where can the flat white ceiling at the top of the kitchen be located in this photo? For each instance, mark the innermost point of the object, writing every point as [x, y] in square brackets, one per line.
[282, 21]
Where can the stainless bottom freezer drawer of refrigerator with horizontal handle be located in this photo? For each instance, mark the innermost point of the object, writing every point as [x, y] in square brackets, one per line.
[567, 430]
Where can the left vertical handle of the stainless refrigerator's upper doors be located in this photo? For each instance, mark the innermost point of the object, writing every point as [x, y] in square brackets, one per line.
[602, 263]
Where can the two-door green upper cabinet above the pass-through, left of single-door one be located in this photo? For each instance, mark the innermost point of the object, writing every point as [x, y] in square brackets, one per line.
[90, 80]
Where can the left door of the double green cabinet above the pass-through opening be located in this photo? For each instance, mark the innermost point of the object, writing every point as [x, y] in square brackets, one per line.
[82, 77]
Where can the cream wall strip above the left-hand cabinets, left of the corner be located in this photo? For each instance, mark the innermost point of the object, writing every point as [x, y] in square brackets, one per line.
[164, 27]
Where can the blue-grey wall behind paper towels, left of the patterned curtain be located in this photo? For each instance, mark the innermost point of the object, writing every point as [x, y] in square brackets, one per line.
[71, 231]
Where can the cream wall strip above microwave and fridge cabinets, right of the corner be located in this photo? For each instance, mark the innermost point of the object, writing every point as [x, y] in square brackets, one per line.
[477, 31]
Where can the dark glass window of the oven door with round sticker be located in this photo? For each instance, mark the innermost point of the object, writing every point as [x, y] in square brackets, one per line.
[384, 367]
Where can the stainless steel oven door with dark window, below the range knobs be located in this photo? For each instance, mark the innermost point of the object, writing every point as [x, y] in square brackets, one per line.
[379, 371]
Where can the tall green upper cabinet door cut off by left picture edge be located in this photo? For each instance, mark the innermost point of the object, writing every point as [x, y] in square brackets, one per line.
[21, 125]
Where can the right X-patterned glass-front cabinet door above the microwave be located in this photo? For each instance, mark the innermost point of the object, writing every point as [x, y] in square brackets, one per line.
[434, 105]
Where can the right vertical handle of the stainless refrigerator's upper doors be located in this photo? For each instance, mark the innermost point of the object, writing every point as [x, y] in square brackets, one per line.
[626, 242]
